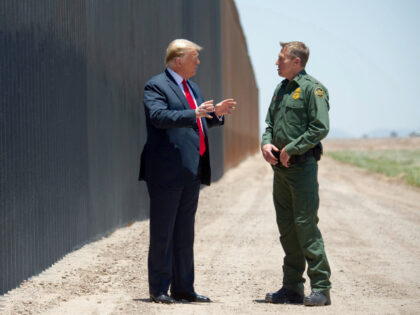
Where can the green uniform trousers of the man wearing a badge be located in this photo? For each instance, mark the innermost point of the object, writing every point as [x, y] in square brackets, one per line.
[295, 194]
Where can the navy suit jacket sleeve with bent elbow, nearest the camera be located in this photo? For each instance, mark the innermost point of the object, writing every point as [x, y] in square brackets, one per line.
[161, 116]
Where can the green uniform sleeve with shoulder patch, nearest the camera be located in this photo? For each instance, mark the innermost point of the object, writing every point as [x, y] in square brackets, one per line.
[318, 122]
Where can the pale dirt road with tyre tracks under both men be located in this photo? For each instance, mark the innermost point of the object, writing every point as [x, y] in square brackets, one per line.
[371, 229]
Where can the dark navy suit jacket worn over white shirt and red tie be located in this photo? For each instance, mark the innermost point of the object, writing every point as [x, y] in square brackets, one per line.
[171, 154]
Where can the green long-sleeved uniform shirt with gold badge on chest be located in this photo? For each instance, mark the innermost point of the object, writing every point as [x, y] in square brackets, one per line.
[298, 115]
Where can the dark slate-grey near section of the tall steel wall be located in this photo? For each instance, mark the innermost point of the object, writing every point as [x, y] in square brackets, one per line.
[71, 120]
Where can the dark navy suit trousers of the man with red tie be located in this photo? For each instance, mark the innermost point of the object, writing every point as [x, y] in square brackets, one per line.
[171, 256]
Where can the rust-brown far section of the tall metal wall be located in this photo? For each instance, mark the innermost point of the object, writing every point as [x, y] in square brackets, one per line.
[240, 135]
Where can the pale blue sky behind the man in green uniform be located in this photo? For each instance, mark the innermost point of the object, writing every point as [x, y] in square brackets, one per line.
[365, 52]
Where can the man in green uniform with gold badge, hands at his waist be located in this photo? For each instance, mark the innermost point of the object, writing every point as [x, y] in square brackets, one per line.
[297, 121]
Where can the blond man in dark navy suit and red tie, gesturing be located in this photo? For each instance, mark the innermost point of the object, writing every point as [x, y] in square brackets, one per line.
[174, 162]
